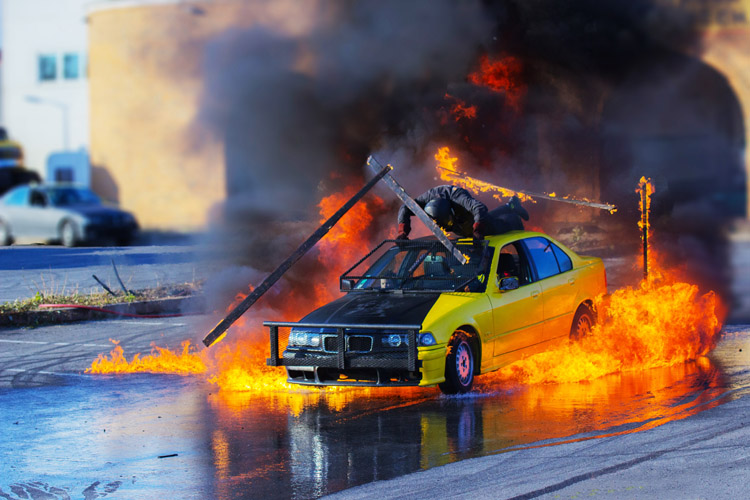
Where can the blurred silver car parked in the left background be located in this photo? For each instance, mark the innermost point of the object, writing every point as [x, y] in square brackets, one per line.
[62, 213]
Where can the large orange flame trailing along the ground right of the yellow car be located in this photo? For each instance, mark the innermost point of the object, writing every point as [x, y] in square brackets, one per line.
[640, 328]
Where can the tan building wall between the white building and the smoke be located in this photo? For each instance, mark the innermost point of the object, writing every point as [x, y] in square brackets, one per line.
[150, 150]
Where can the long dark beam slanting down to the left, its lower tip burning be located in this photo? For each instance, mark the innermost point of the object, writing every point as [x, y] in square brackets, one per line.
[220, 329]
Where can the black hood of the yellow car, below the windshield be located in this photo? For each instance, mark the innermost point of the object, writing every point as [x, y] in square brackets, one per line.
[375, 308]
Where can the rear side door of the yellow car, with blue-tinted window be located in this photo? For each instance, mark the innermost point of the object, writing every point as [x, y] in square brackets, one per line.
[557, 278]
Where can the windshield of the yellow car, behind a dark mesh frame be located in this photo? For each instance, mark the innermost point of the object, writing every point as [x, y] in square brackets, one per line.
[421, 265]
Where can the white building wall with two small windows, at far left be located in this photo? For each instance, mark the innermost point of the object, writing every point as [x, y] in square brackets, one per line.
[52, 28]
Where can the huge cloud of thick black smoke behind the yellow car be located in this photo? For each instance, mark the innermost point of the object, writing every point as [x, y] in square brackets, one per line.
[611, 91]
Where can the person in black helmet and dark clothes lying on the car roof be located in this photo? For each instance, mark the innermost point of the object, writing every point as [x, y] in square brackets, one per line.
[454, 209]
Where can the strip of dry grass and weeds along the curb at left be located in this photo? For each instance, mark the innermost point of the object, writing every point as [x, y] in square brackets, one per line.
[100, 299]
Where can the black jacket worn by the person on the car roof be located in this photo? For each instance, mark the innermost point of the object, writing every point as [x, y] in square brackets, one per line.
[466, 209]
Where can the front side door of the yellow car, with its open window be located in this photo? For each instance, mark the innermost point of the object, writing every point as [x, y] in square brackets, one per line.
[517, 314]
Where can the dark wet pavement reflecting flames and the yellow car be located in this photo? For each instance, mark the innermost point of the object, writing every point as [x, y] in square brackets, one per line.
[316, 441]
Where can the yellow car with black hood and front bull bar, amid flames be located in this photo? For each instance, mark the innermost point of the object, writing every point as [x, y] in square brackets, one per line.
[413, 315]
